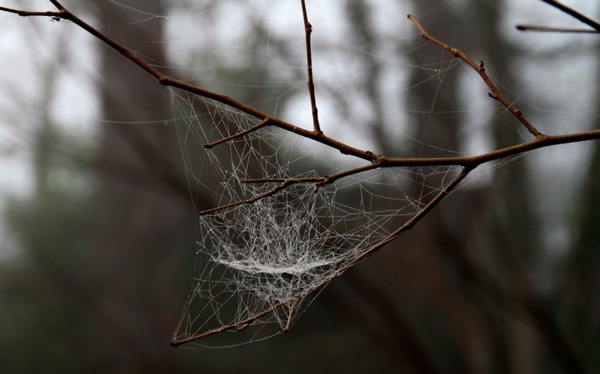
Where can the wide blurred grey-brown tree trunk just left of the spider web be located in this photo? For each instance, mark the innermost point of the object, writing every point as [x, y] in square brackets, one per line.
[137, 216]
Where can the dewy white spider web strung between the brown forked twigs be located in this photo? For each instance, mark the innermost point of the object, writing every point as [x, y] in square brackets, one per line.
[261, 263]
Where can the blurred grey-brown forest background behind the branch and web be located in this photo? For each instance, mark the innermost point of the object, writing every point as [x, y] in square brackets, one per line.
[99, 229]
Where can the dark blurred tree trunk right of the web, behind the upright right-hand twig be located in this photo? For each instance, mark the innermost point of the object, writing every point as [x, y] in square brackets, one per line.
[453, 239]
